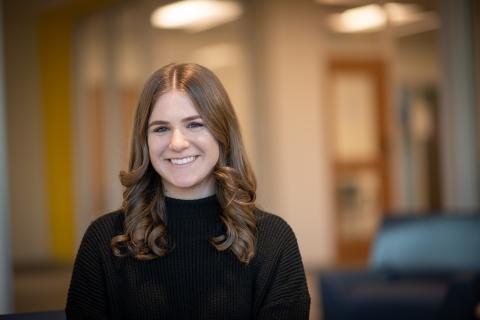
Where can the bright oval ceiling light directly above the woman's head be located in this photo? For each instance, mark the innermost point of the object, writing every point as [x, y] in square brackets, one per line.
[195, 15]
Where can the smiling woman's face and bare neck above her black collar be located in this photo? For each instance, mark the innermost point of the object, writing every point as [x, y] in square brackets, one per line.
[181, 149]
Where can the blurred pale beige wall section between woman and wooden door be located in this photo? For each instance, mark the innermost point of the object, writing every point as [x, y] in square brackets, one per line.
[293, 171]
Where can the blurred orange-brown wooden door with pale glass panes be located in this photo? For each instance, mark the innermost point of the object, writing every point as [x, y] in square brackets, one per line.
[359, 155]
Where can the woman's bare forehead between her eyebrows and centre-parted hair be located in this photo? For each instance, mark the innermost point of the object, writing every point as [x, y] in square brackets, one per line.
[173, 104]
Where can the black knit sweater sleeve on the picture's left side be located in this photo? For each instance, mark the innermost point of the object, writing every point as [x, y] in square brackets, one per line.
[87, 294]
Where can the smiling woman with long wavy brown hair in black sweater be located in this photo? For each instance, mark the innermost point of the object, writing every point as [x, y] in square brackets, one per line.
[189, 242]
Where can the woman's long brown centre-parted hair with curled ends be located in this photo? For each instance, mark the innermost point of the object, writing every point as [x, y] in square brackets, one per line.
[145, 229]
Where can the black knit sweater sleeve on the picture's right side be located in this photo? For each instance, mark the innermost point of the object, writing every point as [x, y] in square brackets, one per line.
[285, 290]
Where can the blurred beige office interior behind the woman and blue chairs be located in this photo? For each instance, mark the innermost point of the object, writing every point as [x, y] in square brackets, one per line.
[350, 109]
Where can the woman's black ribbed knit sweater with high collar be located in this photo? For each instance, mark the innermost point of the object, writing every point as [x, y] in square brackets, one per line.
[194, 281]
